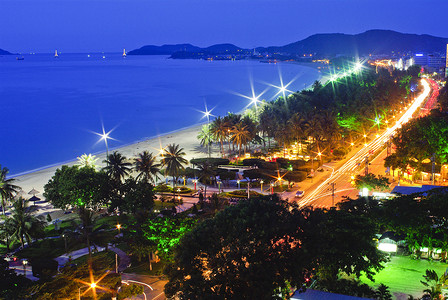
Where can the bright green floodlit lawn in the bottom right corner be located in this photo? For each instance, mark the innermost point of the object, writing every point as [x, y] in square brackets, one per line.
[402, 274]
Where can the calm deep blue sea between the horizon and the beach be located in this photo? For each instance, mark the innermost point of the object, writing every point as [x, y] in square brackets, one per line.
[50, 107]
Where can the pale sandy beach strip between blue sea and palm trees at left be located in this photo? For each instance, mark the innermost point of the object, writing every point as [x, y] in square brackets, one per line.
[186, 138]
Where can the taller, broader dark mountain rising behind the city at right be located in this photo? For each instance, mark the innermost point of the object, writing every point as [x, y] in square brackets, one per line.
[372, 41]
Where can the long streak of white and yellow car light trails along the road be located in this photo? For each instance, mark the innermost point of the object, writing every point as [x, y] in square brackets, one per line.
[373, 146]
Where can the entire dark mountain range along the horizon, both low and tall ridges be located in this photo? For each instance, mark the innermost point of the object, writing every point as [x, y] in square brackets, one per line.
[324, 45]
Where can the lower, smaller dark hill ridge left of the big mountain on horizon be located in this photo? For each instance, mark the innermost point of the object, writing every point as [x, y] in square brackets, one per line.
[188, 48]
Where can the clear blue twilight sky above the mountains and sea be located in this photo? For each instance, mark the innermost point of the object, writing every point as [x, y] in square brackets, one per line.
[111, 25]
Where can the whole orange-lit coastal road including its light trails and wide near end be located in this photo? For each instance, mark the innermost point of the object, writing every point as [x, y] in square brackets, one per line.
[339, 174]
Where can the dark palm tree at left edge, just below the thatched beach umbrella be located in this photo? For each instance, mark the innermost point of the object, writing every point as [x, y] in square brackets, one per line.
[25, 225]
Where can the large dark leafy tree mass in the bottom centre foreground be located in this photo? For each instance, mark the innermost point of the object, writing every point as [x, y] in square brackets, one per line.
[262, 247]
